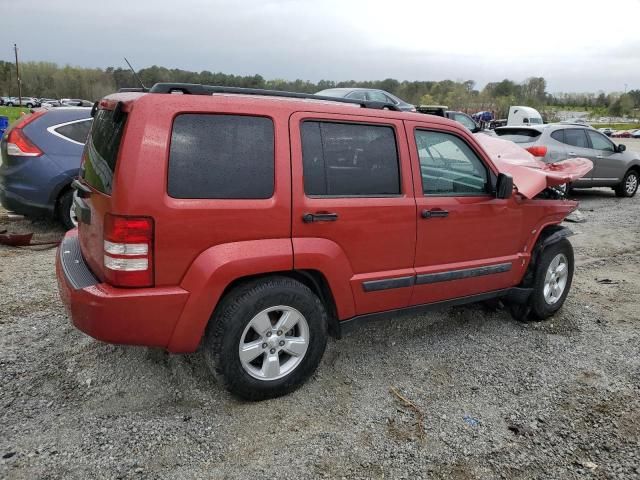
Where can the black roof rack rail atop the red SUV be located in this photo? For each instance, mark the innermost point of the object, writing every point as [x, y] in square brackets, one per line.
[199, 89]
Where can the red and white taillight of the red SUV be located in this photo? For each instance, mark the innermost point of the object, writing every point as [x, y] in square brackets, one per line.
[128, 251]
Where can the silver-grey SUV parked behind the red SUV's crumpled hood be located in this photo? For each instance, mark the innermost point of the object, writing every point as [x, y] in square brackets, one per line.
[613, 165]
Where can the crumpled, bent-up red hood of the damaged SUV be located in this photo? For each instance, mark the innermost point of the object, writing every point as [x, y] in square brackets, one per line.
[530, 175]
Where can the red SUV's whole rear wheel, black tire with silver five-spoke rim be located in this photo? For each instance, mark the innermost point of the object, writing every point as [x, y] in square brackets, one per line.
[266, 338]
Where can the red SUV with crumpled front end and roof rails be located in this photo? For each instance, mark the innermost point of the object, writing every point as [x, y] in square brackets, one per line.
[253, 224]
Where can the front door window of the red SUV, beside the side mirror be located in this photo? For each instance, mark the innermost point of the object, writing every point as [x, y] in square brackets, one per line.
[449, 166]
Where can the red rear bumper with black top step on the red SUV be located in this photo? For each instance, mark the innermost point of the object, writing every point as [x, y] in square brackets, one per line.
[142, 316]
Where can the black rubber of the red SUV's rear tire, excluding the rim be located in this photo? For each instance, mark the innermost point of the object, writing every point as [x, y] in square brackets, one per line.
[234, 313]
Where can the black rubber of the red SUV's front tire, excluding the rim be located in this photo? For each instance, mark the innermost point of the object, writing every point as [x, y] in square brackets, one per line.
[540, 307]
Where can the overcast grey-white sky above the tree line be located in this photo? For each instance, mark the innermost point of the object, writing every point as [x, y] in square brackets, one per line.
[575, 45]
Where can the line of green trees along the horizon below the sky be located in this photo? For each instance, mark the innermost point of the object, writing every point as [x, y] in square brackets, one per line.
[48, 80]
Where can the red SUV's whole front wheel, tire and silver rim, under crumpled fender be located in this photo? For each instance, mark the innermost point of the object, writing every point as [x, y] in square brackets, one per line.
[553, 277]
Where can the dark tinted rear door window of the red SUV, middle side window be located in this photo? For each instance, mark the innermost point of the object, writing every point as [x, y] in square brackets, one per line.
[345, 159]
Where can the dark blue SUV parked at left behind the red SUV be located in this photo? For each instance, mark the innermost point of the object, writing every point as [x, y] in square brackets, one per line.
[40, 158]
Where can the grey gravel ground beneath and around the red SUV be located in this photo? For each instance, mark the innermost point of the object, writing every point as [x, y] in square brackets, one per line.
[497, 398]
